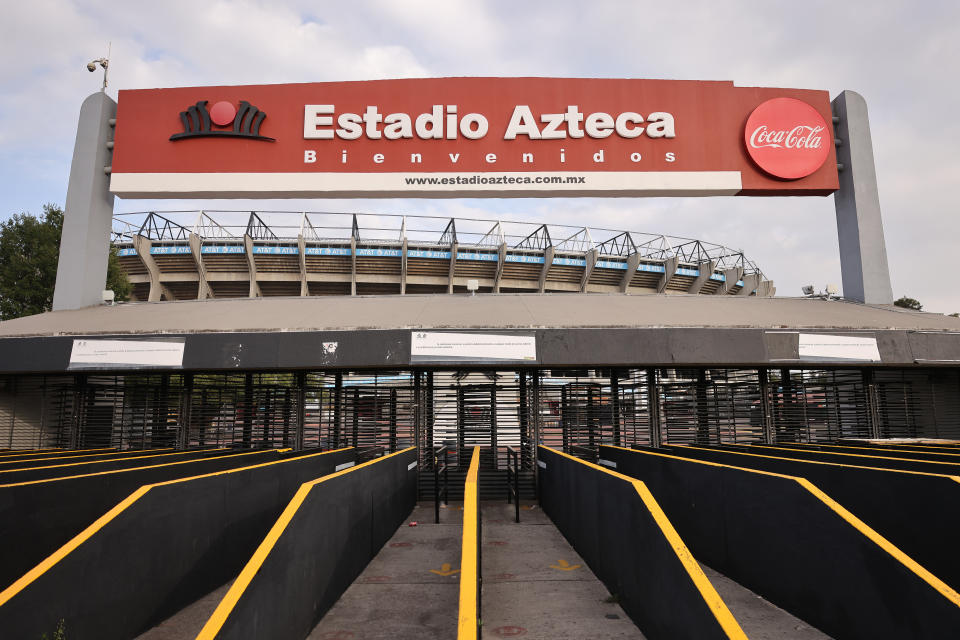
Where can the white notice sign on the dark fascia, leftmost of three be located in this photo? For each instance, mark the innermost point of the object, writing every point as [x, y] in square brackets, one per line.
[98, 354]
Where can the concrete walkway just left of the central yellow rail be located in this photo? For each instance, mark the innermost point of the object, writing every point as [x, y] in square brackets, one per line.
[411, 589]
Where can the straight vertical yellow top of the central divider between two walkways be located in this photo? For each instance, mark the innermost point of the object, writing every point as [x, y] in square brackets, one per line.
[467, 611]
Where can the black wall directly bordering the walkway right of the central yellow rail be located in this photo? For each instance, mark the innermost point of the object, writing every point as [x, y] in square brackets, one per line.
[608, 524]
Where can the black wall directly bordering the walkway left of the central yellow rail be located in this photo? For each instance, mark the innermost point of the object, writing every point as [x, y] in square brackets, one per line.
[340, 526]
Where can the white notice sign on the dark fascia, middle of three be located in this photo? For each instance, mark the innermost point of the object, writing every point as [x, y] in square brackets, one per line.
[435, 345]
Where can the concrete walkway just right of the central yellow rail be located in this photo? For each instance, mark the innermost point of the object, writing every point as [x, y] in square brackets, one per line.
[536, 586]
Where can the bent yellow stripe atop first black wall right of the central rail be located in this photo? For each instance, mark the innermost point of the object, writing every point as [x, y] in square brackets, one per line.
[707, 591]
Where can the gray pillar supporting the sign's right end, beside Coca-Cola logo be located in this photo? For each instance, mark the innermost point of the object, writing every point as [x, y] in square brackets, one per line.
[863, 252]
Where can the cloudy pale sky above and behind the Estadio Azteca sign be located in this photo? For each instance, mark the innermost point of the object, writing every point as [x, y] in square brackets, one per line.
[901, 56]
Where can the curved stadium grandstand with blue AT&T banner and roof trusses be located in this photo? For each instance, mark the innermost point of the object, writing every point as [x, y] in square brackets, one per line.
[229, 254]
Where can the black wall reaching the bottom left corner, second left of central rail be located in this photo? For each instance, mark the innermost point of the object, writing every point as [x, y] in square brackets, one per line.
[174, 544]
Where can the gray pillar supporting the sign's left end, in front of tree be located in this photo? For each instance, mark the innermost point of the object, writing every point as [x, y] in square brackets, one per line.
[82, 270]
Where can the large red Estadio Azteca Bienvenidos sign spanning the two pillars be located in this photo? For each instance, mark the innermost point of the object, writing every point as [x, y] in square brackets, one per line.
[459, 137]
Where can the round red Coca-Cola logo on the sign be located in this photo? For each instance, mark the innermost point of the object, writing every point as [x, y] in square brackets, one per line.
[787, 138]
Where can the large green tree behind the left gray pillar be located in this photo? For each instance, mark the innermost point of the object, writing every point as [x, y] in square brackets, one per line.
[29, 252]
